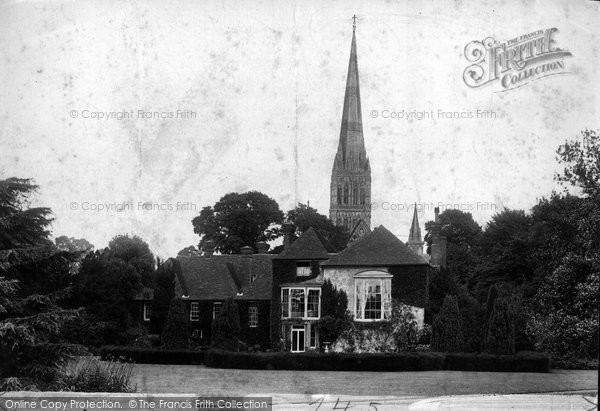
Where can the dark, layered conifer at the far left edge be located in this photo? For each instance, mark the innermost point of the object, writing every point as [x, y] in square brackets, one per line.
[31, 315]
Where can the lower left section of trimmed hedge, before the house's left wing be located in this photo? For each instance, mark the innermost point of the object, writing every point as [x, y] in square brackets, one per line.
[143, 355]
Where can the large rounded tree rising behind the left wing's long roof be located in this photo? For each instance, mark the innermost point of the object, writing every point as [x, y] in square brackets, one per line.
[239, 220]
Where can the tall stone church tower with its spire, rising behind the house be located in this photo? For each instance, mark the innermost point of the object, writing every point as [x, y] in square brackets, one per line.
[350, 204]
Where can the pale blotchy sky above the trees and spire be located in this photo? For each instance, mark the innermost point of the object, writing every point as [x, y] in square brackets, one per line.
[112, 106]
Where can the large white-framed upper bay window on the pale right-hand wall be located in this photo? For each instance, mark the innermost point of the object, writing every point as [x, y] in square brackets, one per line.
[373, 296]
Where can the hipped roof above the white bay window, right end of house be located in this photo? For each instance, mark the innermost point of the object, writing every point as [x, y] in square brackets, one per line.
[378, 248]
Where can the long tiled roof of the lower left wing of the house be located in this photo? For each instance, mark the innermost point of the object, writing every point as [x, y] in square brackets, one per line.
[219, 277]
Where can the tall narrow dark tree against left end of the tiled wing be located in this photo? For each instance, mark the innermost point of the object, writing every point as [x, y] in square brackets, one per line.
[164, 292]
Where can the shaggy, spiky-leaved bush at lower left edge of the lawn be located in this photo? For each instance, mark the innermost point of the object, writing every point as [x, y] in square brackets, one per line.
[88, 374]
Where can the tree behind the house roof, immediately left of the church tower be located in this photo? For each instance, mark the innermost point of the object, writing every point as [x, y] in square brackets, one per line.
[304, 217]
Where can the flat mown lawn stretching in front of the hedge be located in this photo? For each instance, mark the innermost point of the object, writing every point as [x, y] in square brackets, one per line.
[212, 381]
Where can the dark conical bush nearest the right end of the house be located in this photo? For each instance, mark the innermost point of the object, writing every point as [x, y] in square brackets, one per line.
[447, 335]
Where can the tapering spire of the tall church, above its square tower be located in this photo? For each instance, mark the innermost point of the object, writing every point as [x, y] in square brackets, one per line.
[351, 154]
